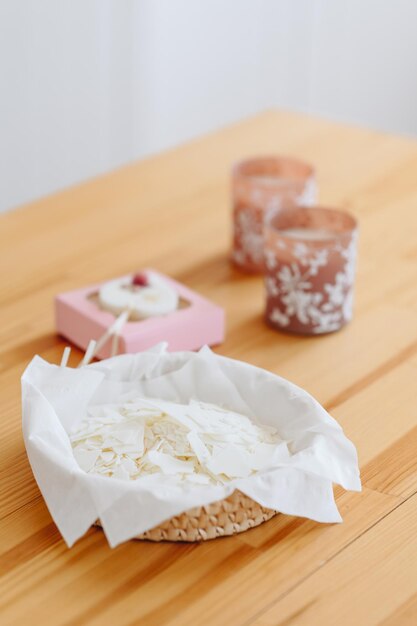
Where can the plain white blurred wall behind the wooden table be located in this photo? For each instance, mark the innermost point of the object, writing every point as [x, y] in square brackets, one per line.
[87, 85]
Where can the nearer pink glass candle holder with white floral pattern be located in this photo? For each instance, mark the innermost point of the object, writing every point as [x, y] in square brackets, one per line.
[309, 269]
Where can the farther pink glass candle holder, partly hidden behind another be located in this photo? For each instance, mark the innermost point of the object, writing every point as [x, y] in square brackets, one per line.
[259, 185]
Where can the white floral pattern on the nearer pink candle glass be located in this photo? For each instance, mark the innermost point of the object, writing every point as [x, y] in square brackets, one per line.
[292, 289]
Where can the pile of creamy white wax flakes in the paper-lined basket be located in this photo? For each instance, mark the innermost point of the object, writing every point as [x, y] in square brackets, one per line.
[197, 443]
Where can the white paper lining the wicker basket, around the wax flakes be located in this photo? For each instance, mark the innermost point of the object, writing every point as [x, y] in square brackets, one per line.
[55, 400]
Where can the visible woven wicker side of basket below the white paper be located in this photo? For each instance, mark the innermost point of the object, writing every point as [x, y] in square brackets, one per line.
[232, 515]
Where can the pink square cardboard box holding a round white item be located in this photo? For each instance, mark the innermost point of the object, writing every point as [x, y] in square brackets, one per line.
[196, 323]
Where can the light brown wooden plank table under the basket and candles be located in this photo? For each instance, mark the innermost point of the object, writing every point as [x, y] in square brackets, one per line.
[172, 212]
